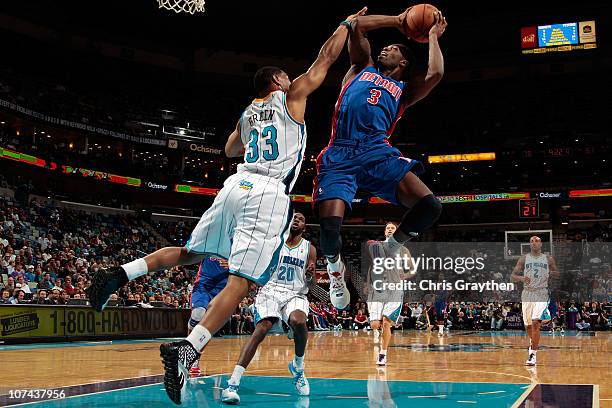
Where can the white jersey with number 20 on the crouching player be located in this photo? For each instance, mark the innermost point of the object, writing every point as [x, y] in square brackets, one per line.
[291, 270]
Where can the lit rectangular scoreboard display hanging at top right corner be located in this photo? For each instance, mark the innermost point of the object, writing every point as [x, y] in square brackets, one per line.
[558, 37]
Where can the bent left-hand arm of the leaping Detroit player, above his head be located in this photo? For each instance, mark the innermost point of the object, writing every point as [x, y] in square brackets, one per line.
[360, 52]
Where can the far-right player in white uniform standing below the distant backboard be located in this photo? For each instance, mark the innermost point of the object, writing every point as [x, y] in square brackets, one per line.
[537, 268]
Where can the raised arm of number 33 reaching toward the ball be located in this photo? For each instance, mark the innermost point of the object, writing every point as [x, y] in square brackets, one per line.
[308, 82]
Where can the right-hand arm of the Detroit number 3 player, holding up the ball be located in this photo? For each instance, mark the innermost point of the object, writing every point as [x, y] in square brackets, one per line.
[419, 87]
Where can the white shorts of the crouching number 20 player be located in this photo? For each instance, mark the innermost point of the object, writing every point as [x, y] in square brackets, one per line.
[279, 303]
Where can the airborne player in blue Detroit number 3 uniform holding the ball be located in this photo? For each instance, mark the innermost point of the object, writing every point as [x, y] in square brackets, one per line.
[373, 99]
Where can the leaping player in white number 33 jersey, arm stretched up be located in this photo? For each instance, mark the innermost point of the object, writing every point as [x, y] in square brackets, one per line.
[248, 221]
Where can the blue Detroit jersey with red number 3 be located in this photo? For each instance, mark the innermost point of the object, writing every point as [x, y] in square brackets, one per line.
[368, 108]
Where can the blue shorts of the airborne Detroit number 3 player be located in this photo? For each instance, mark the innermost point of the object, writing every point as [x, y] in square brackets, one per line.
[343, 167]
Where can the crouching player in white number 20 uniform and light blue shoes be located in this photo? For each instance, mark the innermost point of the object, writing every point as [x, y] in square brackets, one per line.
[283, 297]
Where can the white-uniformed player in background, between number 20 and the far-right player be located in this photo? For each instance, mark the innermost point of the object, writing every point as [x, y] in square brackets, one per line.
[385, 305]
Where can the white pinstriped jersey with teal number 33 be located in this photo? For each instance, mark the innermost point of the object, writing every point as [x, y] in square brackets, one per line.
[274, 141]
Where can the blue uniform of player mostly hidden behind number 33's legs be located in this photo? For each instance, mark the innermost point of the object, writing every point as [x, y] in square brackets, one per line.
[211, 280]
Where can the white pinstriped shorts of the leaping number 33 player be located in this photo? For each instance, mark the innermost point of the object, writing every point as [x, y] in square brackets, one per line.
[246, 225]
